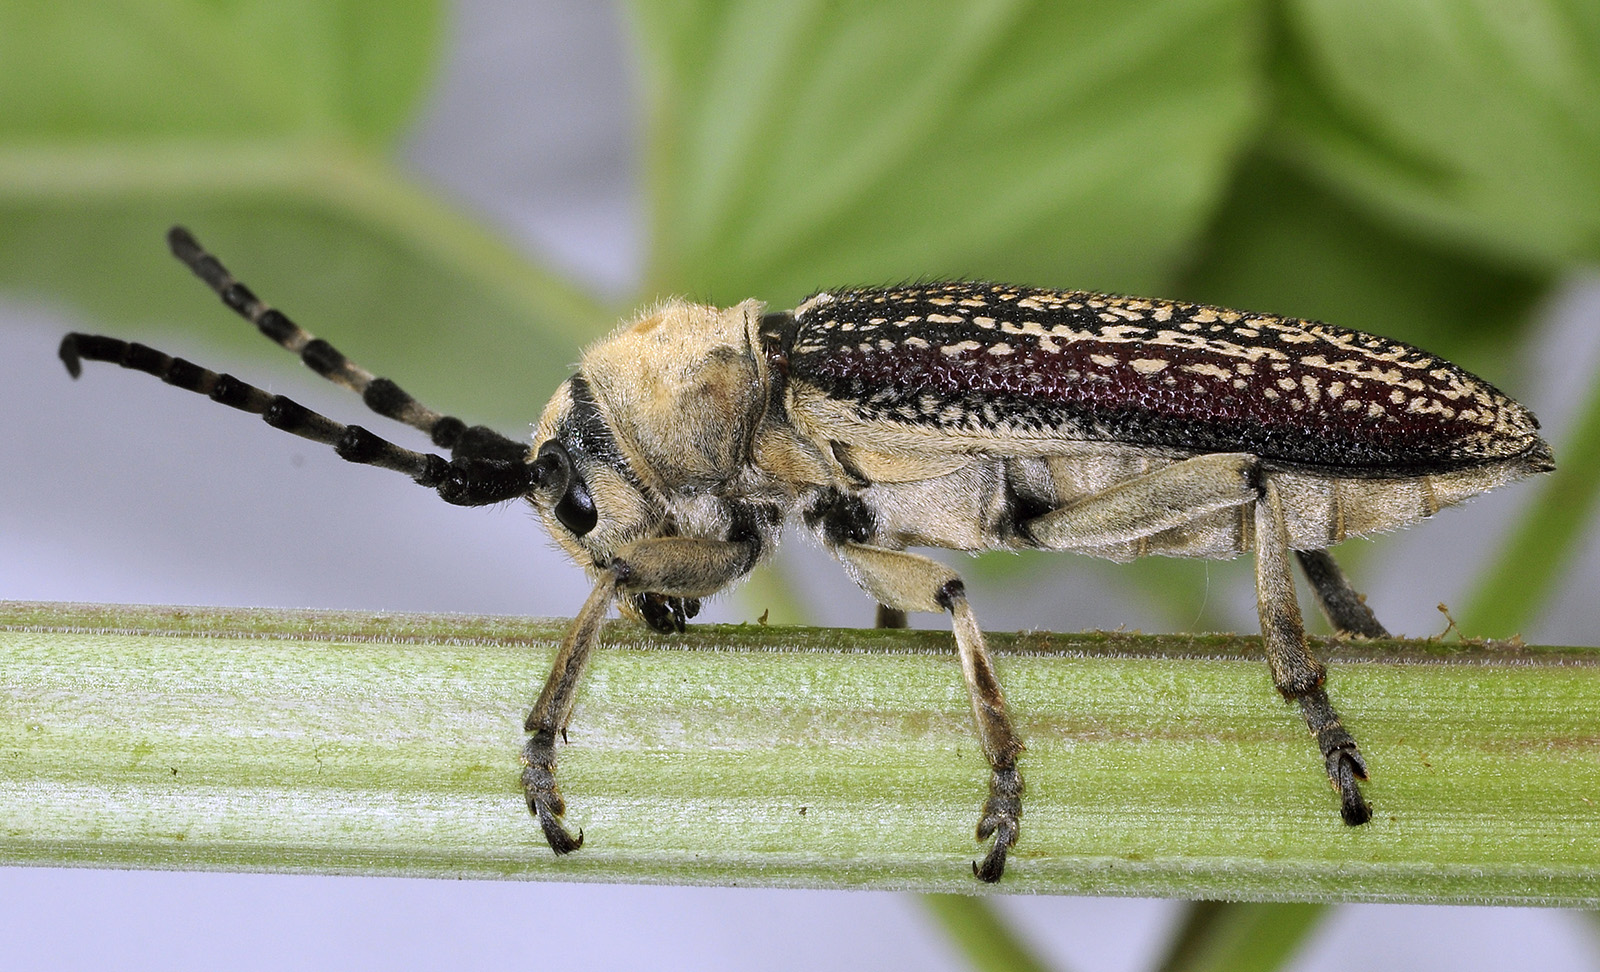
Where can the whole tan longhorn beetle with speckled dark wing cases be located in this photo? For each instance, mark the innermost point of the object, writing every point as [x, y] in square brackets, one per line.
[970, 416]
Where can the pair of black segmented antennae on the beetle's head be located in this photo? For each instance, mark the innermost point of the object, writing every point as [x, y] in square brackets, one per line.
[486, 466]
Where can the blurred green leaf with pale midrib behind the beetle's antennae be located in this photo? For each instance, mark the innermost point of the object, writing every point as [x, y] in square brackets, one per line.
[266, 129]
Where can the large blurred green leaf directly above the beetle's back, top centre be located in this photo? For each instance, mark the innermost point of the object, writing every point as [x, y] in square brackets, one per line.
[815, 145]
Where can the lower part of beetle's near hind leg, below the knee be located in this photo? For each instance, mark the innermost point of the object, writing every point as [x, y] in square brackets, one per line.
[1297, 674]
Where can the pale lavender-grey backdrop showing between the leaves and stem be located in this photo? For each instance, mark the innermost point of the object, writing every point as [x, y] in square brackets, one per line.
[532, 127]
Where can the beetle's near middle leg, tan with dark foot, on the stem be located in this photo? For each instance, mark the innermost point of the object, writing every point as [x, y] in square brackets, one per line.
[910, 583]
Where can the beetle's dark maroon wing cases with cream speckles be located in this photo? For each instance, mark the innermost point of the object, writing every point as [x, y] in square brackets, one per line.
[1158, 373]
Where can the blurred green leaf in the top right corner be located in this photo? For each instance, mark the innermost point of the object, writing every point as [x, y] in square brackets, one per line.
[1476, 122]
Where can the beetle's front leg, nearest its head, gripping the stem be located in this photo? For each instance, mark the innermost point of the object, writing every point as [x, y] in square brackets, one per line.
[671, 567]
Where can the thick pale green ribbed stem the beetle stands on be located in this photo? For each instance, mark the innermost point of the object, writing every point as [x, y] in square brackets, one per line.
[786, 757]
